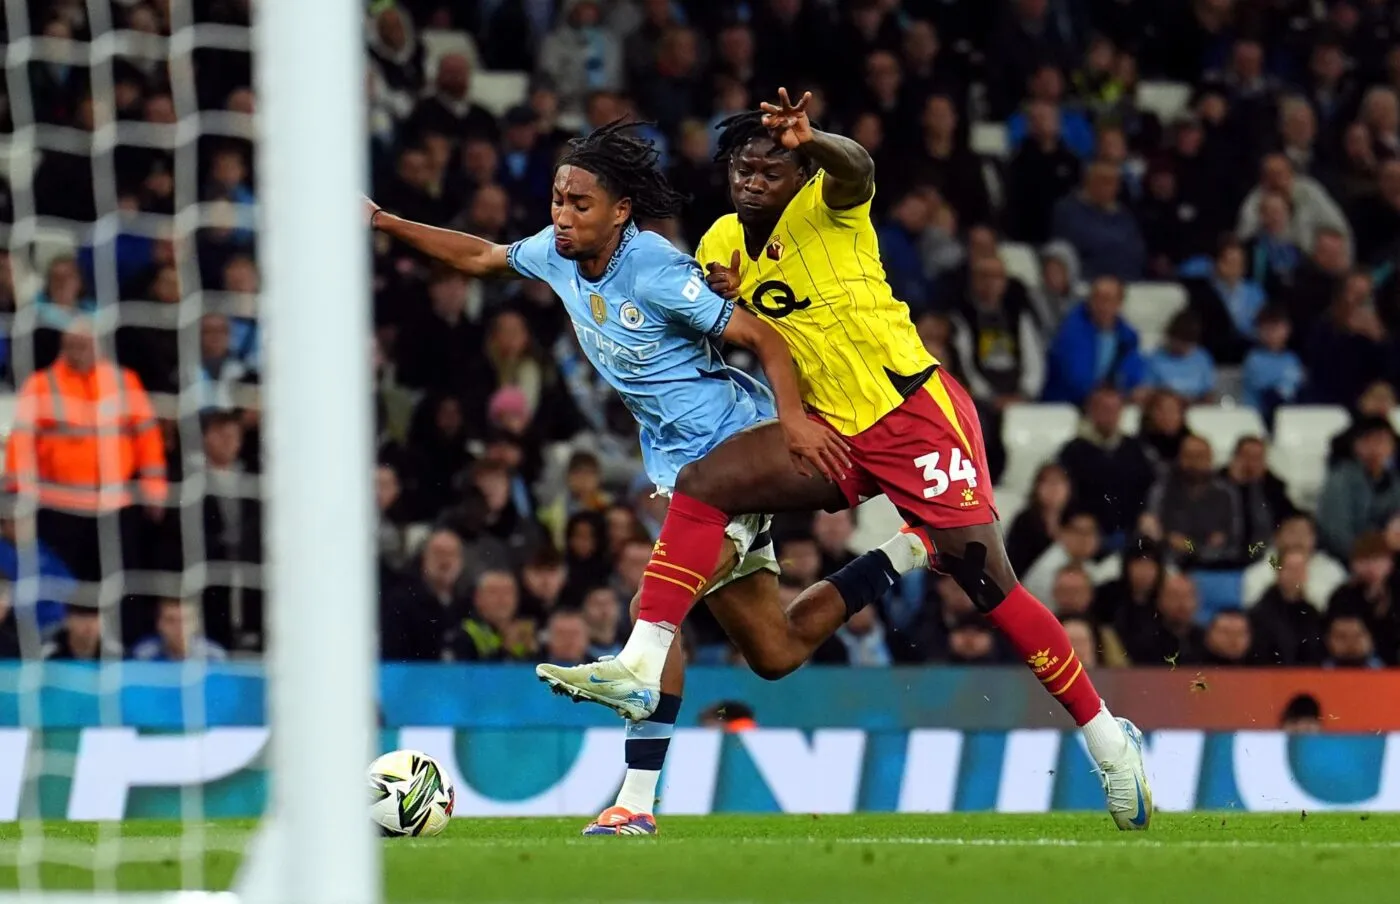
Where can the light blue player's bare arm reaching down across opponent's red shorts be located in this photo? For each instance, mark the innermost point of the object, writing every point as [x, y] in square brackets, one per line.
[808, 442]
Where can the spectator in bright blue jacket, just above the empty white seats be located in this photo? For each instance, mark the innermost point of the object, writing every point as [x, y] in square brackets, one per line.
[1094, 346]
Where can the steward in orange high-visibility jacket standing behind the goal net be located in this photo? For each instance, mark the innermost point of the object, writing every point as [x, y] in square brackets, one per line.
[83, 454]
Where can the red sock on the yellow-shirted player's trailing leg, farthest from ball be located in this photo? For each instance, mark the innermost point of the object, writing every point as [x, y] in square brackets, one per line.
[1041, 640]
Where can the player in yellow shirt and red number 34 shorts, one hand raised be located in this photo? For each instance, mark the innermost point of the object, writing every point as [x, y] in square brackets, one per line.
[800, 253]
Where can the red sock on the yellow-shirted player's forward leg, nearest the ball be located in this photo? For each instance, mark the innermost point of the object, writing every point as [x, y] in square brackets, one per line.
[682, 562]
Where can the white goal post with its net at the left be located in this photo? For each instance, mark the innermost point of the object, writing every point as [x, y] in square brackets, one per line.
[317, 845]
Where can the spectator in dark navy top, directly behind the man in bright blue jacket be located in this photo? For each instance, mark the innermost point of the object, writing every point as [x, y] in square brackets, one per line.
[1104, 233]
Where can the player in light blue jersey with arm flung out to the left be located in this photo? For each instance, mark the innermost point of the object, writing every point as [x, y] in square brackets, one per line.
[650, 325]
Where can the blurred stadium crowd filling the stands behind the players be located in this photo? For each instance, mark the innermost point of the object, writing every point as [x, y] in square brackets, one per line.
[514, 516]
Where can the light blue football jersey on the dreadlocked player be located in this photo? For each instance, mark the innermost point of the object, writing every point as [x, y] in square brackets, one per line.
[649, 327]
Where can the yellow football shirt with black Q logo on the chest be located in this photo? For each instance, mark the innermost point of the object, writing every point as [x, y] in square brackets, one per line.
[820, 282]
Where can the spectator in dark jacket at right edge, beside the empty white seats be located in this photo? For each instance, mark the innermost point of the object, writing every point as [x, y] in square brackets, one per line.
[1361, 495]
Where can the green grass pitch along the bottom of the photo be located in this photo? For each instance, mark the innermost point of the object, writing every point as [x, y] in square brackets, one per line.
[813, 860]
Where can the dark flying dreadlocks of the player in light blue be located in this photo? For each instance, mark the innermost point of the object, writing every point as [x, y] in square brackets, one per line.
[628, 167]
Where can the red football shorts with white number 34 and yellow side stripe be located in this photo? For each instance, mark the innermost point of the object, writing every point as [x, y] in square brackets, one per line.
[927, 457]
